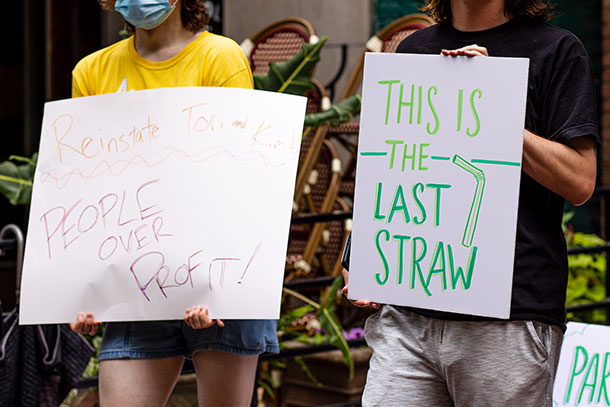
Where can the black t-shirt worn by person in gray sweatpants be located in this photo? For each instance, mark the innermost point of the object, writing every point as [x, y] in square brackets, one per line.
[560, 107]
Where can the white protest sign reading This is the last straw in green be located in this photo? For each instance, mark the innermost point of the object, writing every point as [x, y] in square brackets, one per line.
[437, 182]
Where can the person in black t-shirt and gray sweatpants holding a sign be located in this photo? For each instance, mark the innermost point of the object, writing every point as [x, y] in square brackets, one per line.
[431, 358]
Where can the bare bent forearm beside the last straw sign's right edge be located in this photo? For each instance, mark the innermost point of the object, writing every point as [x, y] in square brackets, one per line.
[567, 170]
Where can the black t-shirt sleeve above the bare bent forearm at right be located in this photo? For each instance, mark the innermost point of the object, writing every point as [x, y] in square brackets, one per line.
[569, 102]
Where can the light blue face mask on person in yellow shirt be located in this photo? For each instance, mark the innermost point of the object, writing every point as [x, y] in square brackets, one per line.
[145, 14]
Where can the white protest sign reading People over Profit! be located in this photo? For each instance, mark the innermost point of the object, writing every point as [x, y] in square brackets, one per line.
[146, 203]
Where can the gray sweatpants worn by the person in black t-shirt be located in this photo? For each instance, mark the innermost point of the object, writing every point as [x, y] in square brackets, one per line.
[425, 362]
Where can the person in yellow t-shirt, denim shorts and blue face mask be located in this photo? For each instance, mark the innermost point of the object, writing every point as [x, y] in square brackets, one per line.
[140, 361]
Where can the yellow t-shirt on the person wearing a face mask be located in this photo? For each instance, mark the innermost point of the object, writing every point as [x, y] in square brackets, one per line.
[210, 60]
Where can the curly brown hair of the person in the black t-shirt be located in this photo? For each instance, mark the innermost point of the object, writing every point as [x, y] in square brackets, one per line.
[540, 10]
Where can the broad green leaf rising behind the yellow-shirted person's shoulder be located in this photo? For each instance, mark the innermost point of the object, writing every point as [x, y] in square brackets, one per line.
[293, 76]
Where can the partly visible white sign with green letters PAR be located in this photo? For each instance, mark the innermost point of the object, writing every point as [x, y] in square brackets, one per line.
[583, 373]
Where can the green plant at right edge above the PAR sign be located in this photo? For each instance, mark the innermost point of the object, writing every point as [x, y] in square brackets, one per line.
[587, 275]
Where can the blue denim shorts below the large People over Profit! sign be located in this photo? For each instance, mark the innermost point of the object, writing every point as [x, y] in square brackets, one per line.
[162, 339]
